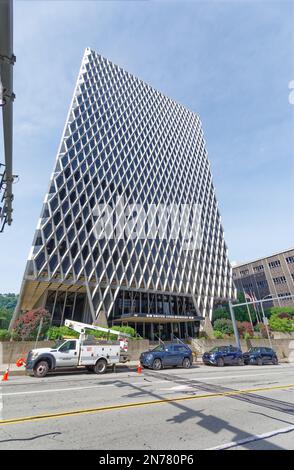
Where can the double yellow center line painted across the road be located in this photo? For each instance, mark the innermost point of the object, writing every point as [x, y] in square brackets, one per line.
[64, 414]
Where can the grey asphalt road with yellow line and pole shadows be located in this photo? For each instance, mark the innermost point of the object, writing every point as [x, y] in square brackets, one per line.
[204, 407]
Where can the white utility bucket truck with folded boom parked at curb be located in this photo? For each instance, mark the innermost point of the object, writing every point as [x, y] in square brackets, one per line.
[86, 351]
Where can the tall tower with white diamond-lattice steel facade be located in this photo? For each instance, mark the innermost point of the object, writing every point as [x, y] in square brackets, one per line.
[131, 178]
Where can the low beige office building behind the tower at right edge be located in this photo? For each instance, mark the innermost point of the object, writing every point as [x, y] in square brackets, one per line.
[272, 276]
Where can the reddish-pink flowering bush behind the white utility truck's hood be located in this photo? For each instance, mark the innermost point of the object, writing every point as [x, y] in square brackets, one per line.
[27, 325]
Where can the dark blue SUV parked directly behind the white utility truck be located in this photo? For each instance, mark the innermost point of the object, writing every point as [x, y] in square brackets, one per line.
[167, 355]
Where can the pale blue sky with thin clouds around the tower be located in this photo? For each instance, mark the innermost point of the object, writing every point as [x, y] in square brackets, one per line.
[229, 61]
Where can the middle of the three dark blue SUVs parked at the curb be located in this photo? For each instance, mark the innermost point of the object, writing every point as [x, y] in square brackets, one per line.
[223, 355]
